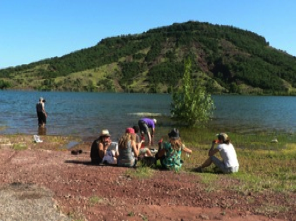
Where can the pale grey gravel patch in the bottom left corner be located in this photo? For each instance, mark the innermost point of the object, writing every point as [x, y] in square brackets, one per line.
[20, 202]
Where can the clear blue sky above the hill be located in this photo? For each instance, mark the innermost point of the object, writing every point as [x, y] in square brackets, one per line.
[32, 30]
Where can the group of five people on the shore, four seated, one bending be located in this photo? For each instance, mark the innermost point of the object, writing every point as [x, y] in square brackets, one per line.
[130, 148]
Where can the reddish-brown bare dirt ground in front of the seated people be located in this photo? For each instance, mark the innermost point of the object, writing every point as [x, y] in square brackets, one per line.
[86, 192]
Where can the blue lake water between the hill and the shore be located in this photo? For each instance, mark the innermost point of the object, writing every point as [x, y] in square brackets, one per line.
[86, 114]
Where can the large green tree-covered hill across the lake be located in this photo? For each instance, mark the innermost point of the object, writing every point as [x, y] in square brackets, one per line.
[225, 59]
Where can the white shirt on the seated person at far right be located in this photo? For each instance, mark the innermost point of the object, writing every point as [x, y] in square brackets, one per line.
[228, 155]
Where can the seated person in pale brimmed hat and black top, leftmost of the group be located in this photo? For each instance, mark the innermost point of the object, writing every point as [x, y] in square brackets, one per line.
[101, 151]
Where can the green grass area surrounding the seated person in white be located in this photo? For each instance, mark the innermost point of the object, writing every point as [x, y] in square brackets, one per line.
[263, 165]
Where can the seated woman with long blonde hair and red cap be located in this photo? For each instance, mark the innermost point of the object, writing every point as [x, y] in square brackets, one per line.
[128, 150]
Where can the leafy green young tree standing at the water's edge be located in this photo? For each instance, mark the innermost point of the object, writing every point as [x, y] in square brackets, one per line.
[191, 104]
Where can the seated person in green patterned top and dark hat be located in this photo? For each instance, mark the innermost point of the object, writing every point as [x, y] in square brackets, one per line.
[170, 152]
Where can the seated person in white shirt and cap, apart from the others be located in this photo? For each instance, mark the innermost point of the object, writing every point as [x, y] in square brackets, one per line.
[229, 163]
